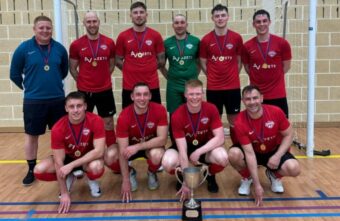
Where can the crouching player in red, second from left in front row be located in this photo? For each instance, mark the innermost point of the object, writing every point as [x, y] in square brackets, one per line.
[142, 130]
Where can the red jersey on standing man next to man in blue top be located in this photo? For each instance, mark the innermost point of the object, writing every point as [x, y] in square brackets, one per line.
[93, 78]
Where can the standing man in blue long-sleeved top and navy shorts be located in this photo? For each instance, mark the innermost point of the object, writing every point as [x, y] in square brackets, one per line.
[38, 67]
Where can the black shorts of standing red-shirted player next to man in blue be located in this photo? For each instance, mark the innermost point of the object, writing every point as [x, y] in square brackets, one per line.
[104, 101]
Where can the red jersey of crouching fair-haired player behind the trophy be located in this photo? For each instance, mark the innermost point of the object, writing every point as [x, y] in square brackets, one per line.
[184, 123]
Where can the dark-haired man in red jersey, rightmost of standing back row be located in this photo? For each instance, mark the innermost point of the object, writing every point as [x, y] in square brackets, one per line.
[266, 58]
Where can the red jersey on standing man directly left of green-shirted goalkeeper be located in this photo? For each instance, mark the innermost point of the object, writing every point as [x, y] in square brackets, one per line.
[140, 50]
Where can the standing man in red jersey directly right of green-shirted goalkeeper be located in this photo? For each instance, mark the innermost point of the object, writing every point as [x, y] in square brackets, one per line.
[220, 55]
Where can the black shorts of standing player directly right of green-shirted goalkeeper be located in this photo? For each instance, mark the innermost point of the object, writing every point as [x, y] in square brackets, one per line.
[230, 99]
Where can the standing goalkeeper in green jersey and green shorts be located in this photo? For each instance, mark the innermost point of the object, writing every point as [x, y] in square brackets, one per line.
[181, 50]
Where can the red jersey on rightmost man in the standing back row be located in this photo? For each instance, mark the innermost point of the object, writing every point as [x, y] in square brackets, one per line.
[270, 77]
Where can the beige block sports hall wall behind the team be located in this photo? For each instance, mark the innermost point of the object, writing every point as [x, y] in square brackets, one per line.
[16, 17]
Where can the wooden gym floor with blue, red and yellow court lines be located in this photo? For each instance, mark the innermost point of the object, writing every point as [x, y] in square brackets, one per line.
[314, 195]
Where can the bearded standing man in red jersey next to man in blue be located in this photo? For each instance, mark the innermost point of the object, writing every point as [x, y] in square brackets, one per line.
[91, 65]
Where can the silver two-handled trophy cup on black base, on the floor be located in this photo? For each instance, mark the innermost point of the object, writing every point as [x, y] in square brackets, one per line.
[193, 178]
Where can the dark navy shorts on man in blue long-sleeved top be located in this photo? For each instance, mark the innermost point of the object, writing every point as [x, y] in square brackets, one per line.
[41, 113]
